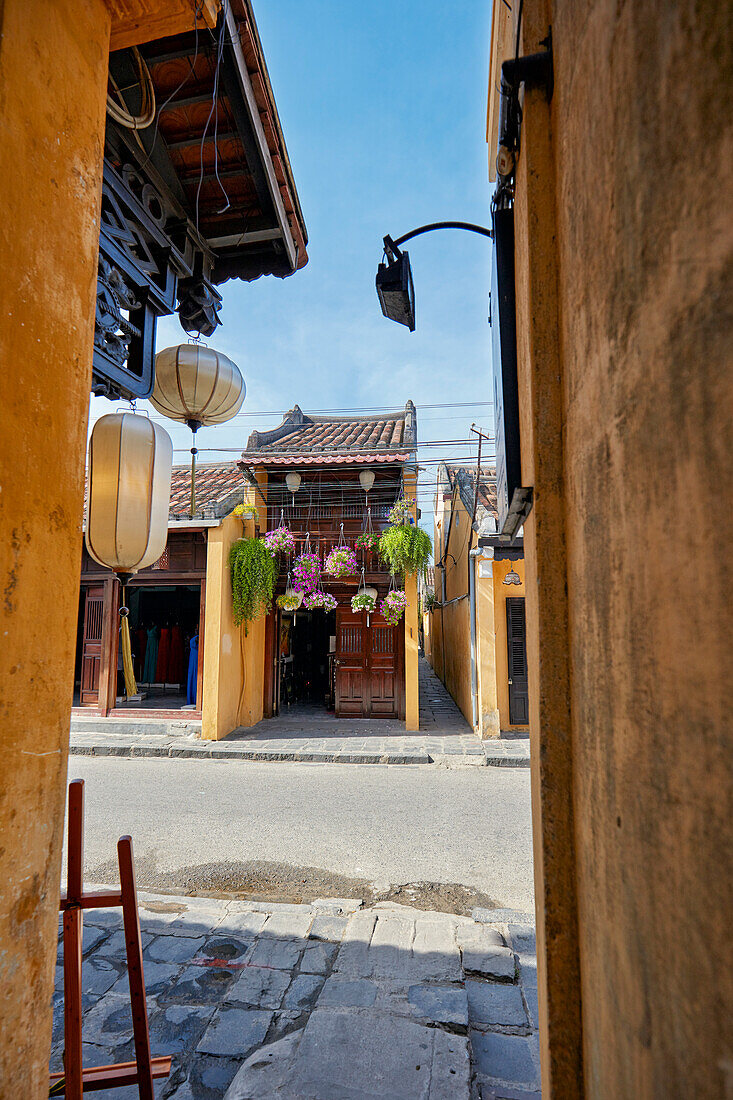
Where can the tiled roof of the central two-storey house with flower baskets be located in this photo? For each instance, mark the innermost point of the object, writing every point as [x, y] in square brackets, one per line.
[316, 439]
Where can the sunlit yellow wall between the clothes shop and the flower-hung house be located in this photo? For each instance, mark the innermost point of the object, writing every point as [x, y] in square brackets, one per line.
[234, 661]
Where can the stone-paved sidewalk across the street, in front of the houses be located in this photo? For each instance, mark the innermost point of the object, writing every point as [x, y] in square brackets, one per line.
[312, 735]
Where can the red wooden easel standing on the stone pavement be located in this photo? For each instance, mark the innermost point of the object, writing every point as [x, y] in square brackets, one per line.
[75, 1081]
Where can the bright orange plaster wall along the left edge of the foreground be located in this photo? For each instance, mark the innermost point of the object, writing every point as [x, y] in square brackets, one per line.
[53, 82]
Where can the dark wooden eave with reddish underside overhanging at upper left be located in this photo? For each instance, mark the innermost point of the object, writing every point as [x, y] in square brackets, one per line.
[225, 162]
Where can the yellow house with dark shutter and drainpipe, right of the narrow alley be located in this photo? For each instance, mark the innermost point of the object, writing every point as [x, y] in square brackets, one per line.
[475, 628]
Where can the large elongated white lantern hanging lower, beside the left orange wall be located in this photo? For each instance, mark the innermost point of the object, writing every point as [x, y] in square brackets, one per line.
[129, 492]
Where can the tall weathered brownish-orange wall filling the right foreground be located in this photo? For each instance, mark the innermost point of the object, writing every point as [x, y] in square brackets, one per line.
[625, 258]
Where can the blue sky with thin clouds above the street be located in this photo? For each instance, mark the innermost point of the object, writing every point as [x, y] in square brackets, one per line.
[384, 111]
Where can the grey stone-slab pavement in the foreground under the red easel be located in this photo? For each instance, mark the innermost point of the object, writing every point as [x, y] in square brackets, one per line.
[327, 1002]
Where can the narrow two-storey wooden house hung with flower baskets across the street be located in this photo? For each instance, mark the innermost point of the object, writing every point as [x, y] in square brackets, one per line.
[357, 665]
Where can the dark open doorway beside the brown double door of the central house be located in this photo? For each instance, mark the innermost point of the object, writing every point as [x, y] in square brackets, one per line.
[308, 644]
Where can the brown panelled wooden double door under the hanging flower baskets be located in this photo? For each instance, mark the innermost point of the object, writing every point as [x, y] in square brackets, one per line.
[369, 667]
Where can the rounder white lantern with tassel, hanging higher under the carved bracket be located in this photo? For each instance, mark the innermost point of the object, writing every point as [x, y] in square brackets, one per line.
[198, 386]
